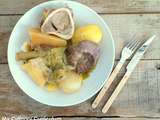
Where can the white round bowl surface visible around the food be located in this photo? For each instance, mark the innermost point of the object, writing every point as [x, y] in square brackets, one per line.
[83, 16]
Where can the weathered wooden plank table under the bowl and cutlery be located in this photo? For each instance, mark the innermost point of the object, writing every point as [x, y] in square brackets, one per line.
[139, 99]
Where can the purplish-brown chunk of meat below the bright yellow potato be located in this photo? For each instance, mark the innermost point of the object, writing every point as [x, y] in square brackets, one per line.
[83, 56]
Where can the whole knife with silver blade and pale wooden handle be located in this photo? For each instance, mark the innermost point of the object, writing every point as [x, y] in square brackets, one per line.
[130, 67]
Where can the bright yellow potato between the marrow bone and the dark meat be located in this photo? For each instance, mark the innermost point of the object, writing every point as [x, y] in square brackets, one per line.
[88, 32]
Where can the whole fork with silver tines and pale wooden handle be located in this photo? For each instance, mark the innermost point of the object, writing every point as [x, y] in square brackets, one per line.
[126, 53]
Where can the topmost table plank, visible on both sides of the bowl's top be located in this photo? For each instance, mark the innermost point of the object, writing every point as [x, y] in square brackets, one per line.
[101, 6]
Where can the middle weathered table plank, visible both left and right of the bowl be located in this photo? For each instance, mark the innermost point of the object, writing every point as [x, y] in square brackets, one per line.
[122, 26]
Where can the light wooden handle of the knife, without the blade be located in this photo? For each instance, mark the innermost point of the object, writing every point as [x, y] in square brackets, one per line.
[115, 93]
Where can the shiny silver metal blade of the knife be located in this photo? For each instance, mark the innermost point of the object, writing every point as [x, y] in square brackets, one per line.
[139, 54]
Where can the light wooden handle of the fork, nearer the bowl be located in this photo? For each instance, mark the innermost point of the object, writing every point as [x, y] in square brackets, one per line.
[107, 84]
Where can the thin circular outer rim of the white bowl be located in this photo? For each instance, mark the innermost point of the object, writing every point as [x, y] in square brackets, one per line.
[106, 27]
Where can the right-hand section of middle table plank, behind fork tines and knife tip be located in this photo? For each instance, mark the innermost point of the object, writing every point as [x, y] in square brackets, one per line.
[124, 27]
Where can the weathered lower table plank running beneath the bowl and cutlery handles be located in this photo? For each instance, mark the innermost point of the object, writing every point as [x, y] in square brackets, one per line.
[139, 97]
